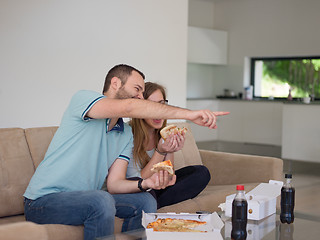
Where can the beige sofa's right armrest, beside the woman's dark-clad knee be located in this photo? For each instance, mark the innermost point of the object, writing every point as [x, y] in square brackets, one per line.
[231, 168]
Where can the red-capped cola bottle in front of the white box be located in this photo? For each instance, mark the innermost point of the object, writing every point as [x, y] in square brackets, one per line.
[239, 215]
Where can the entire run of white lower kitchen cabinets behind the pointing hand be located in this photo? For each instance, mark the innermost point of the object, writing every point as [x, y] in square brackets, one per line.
[248, 121]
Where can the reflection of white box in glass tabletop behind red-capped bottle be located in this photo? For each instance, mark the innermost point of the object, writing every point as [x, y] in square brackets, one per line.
[255, 229]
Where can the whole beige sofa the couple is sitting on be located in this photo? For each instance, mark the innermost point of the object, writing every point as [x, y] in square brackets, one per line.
[21, 151]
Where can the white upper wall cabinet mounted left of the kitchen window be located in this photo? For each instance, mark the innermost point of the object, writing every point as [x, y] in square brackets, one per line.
[207, 46]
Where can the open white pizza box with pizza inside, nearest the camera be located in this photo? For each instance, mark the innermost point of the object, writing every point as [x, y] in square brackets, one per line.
[212, 228]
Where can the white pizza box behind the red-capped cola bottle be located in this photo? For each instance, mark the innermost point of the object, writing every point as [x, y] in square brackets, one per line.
[262, 200]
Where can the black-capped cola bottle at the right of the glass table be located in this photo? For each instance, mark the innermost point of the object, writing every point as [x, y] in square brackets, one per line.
[287, 201]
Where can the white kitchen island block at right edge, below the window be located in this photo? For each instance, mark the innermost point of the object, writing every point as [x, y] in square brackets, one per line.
[301, 132]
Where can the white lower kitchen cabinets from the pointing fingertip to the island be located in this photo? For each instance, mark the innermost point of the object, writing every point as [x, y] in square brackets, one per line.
[251, 122]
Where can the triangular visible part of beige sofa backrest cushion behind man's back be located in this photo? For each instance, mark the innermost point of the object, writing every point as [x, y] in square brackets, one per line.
[39, 140]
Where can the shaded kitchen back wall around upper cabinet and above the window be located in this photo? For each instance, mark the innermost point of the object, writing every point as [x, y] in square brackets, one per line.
[256, 28]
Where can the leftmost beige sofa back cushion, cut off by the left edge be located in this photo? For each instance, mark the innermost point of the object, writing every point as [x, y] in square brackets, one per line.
[16, 170]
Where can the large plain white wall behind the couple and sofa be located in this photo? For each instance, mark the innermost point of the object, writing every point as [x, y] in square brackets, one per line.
[50, 49]
